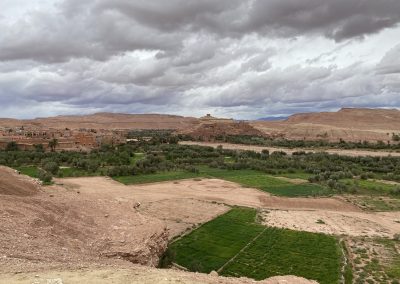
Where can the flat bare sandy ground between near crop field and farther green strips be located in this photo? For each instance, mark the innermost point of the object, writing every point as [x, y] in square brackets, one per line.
[188, 202]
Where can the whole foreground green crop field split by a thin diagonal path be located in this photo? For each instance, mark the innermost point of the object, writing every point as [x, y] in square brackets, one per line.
[270, 251]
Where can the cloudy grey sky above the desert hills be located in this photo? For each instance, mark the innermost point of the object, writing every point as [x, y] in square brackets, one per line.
[243, 59]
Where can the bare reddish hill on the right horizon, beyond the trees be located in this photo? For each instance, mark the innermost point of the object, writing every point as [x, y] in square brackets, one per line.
[347, 124]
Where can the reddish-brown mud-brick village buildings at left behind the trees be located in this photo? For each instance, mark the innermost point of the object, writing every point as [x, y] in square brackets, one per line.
[80, 139]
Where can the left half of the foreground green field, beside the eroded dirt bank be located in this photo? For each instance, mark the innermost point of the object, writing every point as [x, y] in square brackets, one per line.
[214, 243]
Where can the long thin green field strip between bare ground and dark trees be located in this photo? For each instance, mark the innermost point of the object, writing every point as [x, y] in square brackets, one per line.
[247, 178]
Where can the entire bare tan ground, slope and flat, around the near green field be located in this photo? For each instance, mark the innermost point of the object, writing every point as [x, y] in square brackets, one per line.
[92, 229]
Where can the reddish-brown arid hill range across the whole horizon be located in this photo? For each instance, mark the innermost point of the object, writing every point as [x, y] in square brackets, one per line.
[350, 124]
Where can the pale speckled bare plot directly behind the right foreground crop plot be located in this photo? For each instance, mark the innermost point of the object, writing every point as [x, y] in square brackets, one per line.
[335, 223]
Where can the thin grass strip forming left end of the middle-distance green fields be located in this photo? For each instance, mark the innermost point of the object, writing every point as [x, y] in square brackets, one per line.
[157, 177]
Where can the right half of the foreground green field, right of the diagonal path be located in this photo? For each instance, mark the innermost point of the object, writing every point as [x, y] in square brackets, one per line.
[287, 252]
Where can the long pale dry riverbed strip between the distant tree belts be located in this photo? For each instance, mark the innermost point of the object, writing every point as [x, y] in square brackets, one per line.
[352, 153]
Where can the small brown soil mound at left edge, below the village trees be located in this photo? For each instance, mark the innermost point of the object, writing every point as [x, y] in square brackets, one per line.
[11, 183]
